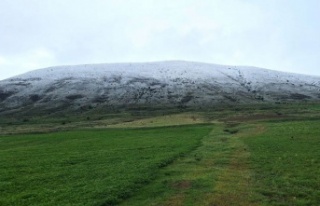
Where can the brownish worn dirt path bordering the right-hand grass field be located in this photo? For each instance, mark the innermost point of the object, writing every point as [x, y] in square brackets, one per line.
[234, 186]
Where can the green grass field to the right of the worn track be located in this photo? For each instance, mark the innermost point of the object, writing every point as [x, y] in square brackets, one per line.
[285, 159]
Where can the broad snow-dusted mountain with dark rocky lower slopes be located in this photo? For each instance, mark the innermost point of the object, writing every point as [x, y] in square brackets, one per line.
[171, 84]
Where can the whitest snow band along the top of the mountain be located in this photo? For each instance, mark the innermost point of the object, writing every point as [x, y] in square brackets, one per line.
[161, 70]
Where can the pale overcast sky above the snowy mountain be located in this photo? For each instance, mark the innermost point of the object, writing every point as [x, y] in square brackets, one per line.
[281, 35]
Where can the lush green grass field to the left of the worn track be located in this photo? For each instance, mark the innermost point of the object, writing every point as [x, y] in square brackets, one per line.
[90, 167]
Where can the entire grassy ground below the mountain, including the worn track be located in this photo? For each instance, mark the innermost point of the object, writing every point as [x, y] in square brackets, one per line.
[242, 156]
